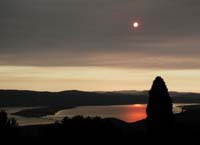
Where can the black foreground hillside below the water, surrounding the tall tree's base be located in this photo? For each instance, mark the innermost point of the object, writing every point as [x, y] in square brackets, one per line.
[97, 130]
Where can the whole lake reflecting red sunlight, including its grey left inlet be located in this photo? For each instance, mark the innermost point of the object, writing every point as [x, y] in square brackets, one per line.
[127, 113]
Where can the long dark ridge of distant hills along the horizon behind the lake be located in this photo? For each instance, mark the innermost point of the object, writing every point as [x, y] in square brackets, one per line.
[14, 98]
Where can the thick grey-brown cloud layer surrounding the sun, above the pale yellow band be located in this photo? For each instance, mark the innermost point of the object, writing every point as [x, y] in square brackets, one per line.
[97, 33]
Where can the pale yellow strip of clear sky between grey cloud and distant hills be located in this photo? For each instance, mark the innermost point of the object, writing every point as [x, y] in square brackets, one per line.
[95, 78]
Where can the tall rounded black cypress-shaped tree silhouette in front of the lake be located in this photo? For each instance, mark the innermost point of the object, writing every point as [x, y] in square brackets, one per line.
[160, 116]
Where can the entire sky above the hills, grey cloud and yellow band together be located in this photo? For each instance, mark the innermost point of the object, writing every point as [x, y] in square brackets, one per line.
[91, 45]
